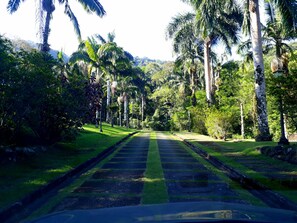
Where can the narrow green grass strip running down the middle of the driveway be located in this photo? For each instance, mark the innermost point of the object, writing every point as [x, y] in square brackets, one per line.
[155, 190]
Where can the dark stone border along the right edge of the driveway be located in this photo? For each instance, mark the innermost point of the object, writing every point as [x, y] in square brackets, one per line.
[270, 197]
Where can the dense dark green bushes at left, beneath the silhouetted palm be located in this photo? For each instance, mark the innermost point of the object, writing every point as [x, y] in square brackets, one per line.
[37, 105]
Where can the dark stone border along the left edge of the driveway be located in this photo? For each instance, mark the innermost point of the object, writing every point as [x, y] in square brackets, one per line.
[20, 205]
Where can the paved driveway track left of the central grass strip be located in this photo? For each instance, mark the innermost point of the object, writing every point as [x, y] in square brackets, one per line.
[116, 183]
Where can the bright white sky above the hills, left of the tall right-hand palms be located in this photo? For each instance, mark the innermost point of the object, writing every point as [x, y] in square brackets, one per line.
[139, 25]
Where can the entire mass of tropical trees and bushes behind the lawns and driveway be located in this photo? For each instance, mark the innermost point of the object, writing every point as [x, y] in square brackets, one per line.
[46, 99]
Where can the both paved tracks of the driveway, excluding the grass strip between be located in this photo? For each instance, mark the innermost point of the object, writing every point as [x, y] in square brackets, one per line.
[119, 182]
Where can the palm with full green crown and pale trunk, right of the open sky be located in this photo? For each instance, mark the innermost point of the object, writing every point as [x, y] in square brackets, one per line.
[216, 21]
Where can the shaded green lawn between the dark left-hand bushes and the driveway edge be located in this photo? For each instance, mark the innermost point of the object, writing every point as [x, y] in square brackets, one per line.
[20, 178]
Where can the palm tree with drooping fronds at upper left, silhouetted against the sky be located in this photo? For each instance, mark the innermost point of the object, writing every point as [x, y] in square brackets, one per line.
[48, 7]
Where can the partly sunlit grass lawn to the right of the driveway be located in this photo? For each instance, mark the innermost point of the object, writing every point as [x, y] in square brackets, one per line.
[229, 151]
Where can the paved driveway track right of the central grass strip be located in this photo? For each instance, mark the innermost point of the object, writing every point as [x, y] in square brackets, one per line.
[187, 179]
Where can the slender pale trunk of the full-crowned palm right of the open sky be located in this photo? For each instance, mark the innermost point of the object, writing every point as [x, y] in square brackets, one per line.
[207, 72]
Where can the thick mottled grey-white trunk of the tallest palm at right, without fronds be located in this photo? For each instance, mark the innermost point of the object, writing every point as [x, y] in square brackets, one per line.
[261, 104]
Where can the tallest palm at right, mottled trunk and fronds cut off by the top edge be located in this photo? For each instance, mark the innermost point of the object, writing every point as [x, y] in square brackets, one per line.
[252, 25]
